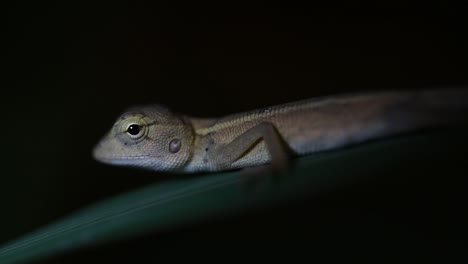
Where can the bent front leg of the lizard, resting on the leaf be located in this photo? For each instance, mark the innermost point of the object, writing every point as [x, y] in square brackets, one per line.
[223, 156]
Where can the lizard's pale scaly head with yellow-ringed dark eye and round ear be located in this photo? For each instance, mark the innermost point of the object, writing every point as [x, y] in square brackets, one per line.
[150, 137]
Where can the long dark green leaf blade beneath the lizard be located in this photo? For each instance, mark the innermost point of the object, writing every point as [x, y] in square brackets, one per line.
[176, 203]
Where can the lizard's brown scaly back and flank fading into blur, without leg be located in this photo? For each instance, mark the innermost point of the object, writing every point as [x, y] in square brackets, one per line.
[330, 122]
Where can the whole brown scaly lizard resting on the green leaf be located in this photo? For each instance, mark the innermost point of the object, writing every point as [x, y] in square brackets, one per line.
[156, 138]
